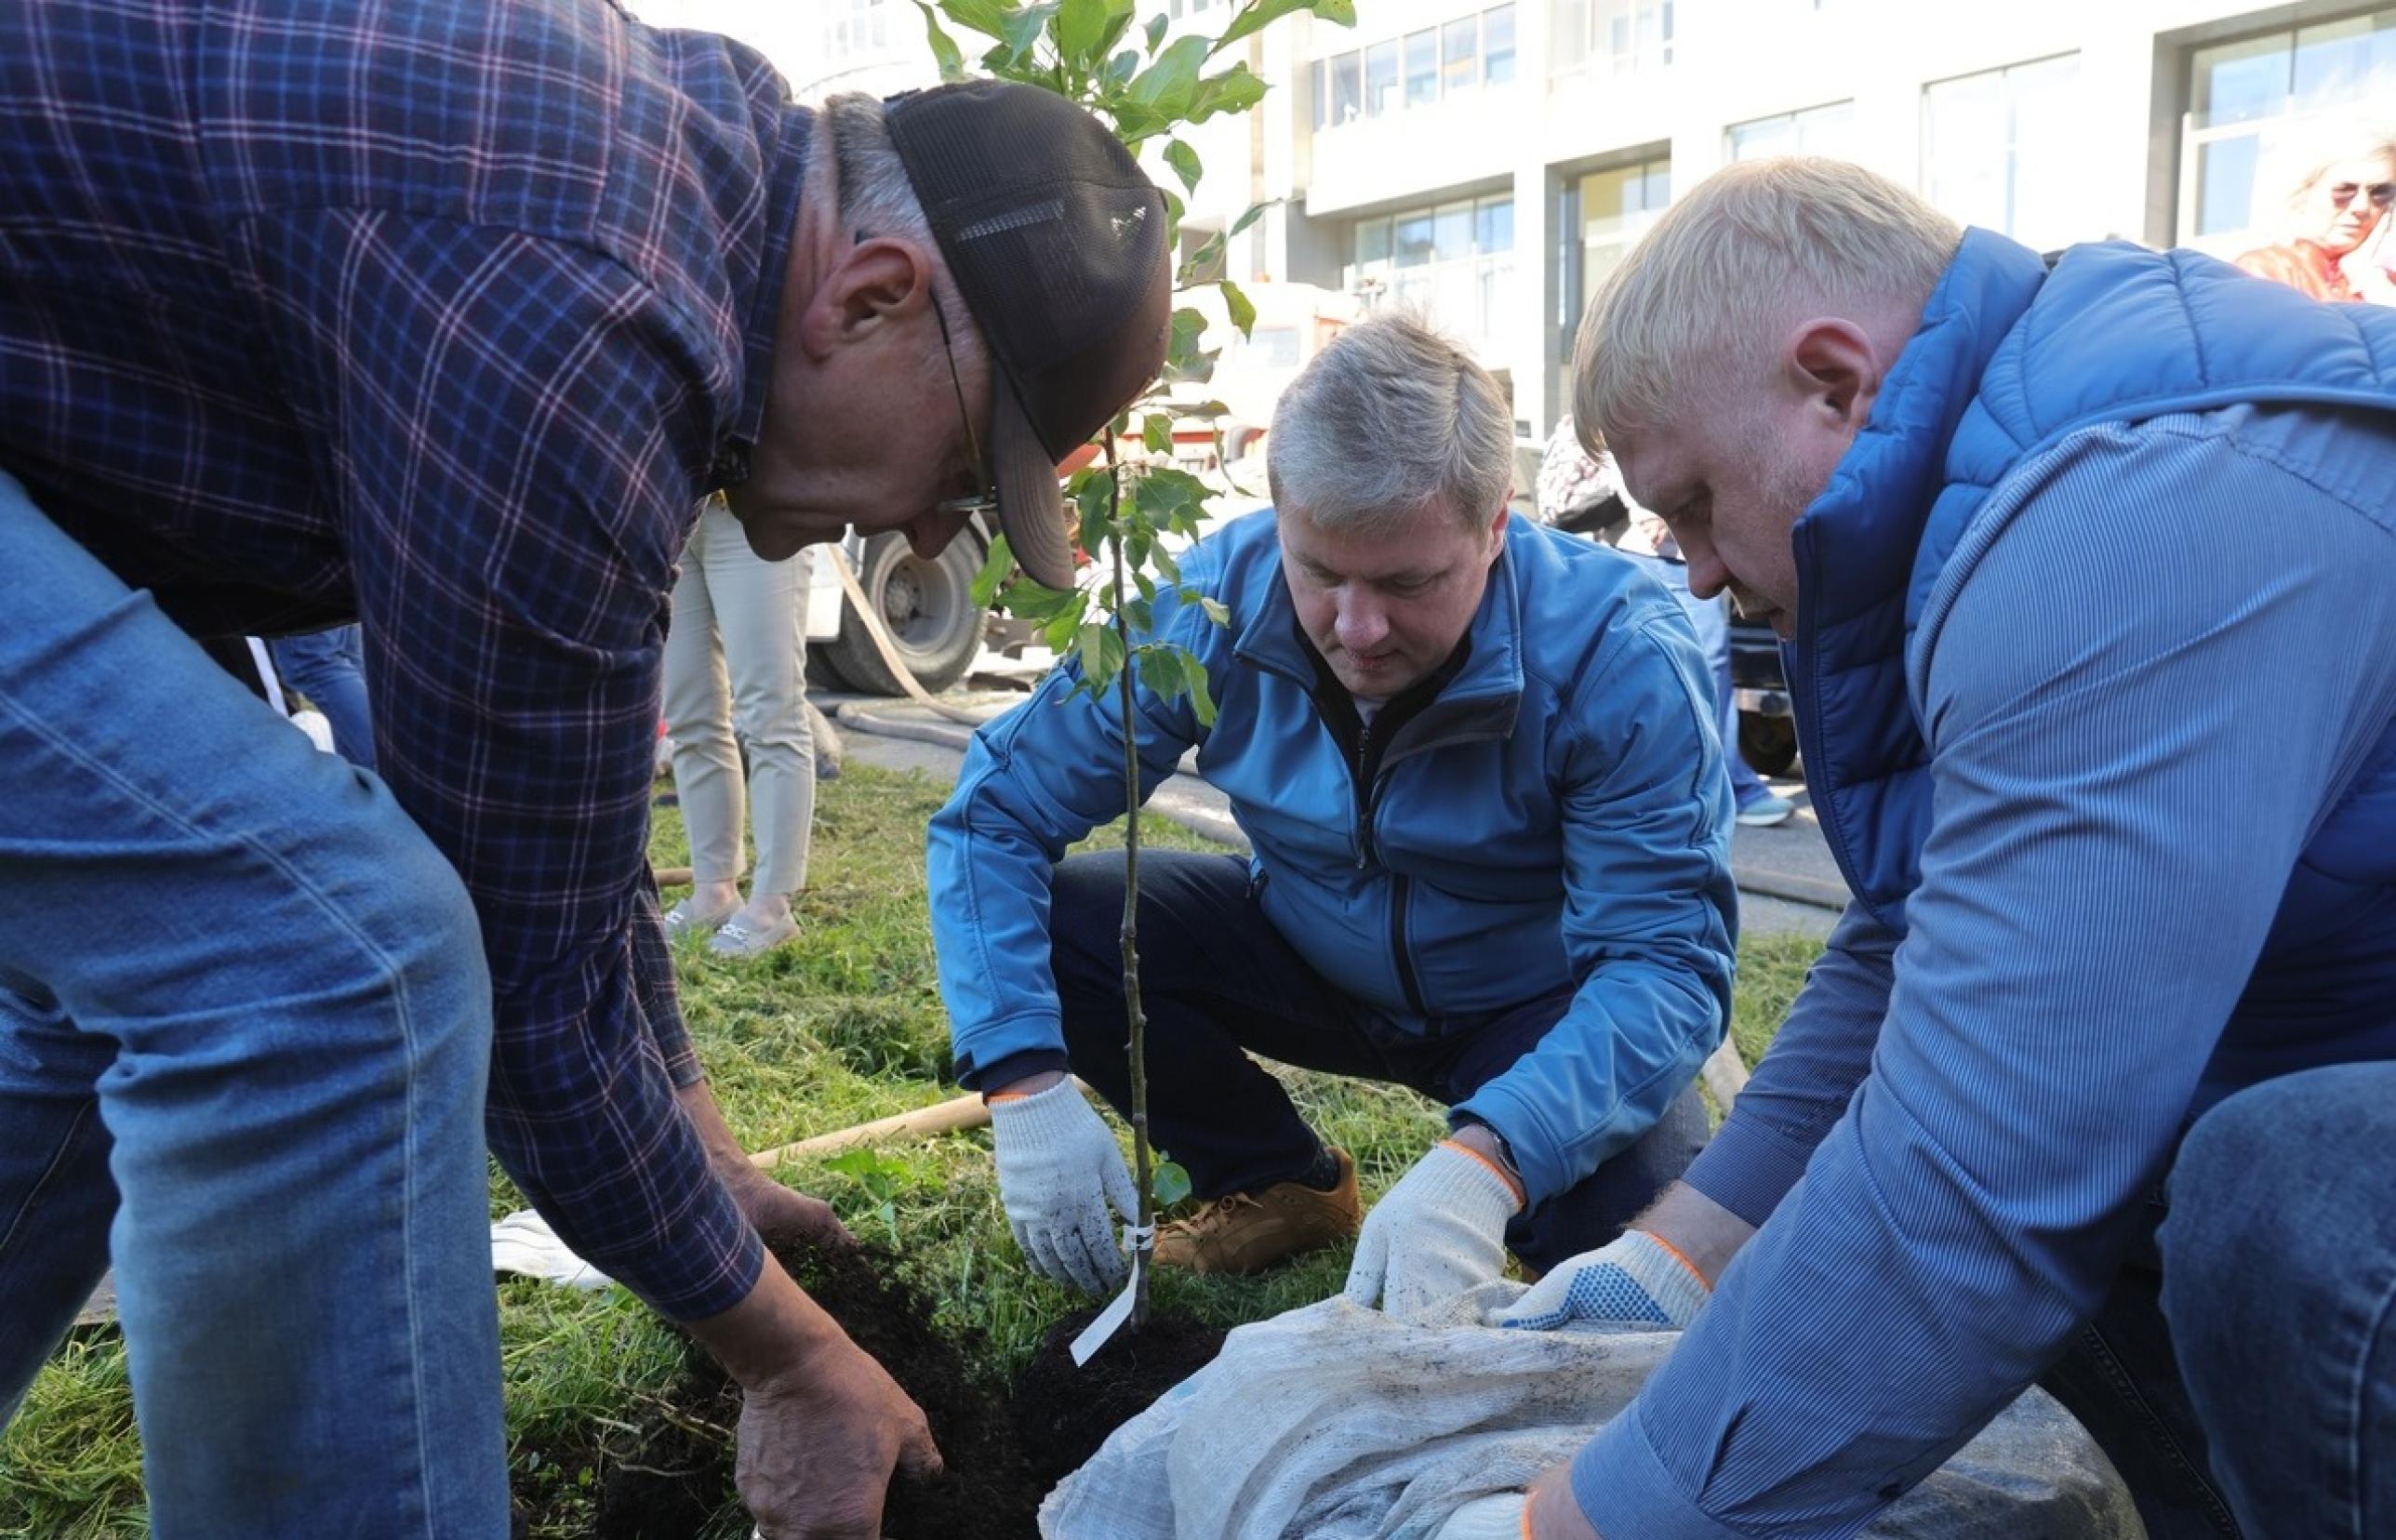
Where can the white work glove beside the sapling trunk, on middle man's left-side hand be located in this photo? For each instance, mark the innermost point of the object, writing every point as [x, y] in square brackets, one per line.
[1058, 1172]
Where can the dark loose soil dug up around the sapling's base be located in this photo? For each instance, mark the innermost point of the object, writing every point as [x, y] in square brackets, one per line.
[674, 1472]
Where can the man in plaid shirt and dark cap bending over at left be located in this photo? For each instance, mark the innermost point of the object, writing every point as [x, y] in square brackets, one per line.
[442, 317]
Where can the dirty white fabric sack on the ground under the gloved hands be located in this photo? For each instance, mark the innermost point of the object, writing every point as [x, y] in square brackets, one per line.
[1343, 1424]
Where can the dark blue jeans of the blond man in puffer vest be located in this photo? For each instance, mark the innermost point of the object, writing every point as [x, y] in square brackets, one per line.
[2246, 1362]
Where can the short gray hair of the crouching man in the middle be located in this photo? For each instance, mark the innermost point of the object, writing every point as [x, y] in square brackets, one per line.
[1384, 423]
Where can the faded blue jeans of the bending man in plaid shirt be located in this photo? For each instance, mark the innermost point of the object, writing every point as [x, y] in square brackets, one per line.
[246, 1029]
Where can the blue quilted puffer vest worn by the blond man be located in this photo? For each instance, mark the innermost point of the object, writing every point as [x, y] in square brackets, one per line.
[2011, 358]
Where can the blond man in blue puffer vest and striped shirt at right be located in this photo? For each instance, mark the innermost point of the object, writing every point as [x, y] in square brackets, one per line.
[2088, 586]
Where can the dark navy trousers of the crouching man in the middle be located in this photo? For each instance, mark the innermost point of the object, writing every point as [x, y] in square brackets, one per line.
[1216, 978]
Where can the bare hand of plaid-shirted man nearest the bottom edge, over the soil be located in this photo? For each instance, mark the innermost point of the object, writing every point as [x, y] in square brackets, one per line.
[821, 1443]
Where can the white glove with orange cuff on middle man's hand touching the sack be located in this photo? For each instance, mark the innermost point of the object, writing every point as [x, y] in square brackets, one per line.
[1436, 1235]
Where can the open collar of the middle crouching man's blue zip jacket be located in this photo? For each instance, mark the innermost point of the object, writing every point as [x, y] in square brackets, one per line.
[1480, 703]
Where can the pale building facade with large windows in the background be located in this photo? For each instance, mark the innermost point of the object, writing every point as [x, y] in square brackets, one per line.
[1489, 162]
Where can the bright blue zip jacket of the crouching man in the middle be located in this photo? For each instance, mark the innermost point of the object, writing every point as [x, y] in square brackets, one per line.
[1559, 818]
